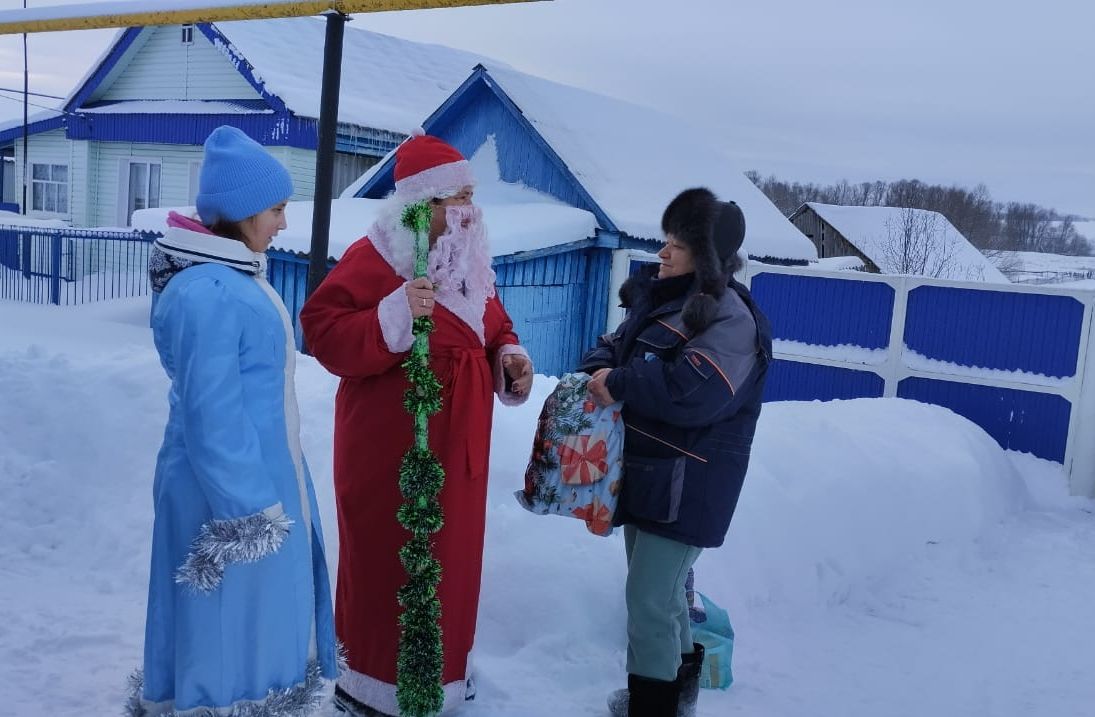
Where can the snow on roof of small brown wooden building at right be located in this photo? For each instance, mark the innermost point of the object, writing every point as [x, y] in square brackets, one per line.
[874, 232]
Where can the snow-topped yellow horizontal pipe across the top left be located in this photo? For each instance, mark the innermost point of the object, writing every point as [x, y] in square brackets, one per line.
[60, 18]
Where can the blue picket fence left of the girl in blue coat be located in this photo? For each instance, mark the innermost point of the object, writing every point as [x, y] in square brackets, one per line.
[73, 267]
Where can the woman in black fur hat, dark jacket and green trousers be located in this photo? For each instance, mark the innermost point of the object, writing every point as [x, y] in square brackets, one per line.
[689, 365]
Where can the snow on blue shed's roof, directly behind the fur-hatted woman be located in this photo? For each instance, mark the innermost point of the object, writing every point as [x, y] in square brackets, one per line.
[635, 160]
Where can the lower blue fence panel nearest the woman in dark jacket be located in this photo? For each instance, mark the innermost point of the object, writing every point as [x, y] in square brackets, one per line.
[800, 381]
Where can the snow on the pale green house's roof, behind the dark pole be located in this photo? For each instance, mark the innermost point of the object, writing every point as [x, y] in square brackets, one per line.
[387, 83]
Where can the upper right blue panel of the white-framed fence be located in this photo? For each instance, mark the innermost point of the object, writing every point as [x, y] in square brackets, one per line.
[996, 330]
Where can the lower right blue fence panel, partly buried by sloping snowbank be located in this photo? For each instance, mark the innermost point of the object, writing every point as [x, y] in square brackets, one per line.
[1023, 421]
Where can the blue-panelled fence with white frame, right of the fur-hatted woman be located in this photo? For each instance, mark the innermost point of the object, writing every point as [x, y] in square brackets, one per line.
[1013, 360]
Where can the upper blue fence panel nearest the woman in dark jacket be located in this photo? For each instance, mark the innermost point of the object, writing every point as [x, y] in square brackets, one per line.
[826, 311]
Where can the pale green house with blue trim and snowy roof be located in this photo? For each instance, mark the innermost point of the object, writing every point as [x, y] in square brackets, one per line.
[130, 135]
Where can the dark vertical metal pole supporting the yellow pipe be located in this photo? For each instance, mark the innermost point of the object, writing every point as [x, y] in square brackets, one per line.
[326, 151]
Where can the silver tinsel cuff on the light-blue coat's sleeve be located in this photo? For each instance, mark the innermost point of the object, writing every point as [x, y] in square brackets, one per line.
[221, 542]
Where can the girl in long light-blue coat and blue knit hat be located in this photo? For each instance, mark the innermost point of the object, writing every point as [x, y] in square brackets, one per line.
[239, 607]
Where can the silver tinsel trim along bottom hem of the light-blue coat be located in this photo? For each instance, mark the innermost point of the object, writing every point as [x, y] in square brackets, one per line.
[298, 701]
